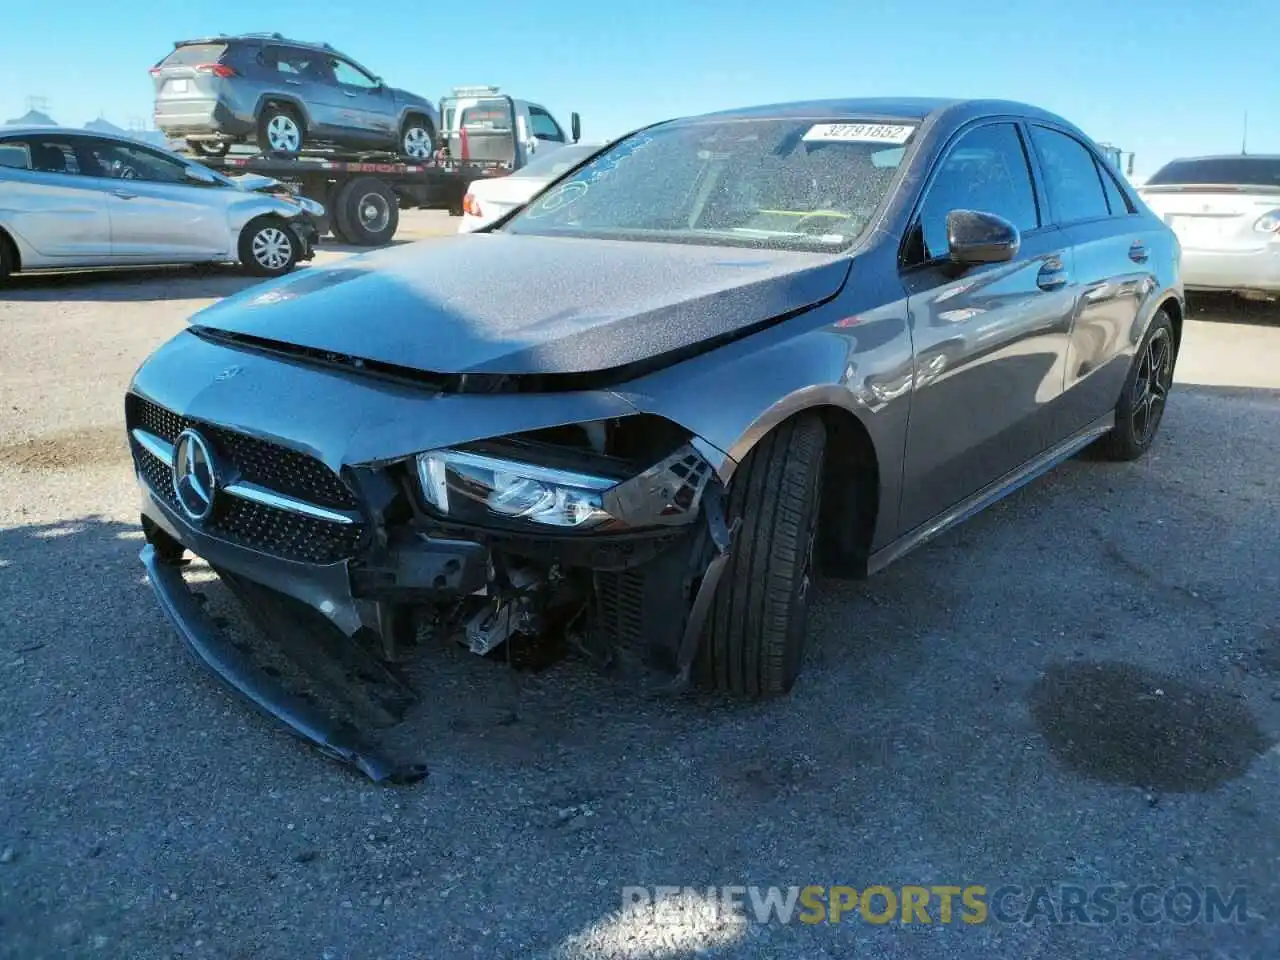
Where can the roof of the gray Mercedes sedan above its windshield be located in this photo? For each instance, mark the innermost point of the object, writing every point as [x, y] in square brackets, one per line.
[918, 109]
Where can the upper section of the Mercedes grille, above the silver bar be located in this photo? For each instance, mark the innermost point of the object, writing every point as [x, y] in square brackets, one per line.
[257, 461]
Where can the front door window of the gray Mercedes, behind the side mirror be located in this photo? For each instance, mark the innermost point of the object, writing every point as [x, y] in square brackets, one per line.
[986, 171]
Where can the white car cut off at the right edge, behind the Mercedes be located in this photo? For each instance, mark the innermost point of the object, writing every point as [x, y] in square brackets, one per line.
[1227, 214]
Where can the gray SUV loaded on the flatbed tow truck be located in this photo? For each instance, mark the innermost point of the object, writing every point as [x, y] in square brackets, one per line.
[285, 95]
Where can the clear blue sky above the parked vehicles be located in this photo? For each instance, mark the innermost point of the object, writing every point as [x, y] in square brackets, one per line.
[1162, 79]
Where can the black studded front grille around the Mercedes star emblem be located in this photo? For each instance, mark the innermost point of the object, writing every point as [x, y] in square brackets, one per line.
[281, 533]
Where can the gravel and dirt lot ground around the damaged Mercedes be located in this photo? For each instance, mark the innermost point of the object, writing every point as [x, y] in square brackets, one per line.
[1081, 687]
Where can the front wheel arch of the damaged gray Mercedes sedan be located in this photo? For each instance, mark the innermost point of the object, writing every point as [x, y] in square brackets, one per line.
[852, 482]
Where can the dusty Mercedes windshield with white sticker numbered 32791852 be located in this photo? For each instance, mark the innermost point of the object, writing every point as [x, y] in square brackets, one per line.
[779, 184]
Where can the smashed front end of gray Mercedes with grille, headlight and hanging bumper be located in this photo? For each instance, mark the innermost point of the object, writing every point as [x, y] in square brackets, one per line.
[607, 537]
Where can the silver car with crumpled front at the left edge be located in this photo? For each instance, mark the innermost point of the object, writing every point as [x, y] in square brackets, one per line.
[71, 199]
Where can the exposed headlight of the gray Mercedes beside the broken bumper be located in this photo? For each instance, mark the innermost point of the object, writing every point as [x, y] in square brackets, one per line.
[474, 487]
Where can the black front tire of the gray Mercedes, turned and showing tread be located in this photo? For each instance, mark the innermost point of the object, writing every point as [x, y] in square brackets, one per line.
[753, 644]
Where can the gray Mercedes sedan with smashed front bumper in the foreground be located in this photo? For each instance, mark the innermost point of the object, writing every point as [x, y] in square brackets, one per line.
[721, 355]
